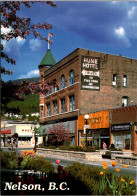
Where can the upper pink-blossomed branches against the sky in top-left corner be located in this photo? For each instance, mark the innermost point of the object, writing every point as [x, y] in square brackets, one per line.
[19, 27]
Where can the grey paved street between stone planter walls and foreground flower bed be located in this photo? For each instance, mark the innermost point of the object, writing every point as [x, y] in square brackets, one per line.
[65, 161]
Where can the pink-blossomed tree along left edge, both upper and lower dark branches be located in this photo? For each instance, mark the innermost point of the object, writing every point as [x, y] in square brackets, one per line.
[19, 27]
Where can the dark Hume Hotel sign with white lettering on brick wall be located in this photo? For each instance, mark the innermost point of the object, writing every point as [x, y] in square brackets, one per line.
[90, 73]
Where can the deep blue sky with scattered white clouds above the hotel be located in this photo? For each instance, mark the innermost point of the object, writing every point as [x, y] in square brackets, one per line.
[103, 26]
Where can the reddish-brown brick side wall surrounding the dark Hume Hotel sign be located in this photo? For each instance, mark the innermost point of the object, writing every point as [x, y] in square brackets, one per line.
[110, 96]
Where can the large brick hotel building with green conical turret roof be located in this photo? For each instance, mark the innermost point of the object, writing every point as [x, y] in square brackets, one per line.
[88, 82]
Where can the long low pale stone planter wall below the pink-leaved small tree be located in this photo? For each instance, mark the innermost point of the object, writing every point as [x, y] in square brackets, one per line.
[89, 156]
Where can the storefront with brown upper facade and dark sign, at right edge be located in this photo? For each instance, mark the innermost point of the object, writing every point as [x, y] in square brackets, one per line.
[123, 128]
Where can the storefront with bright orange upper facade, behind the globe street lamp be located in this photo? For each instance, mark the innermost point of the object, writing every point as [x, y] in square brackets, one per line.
[97, 129]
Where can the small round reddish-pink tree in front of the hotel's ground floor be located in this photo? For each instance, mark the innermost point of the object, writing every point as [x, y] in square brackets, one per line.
[58, 135]
